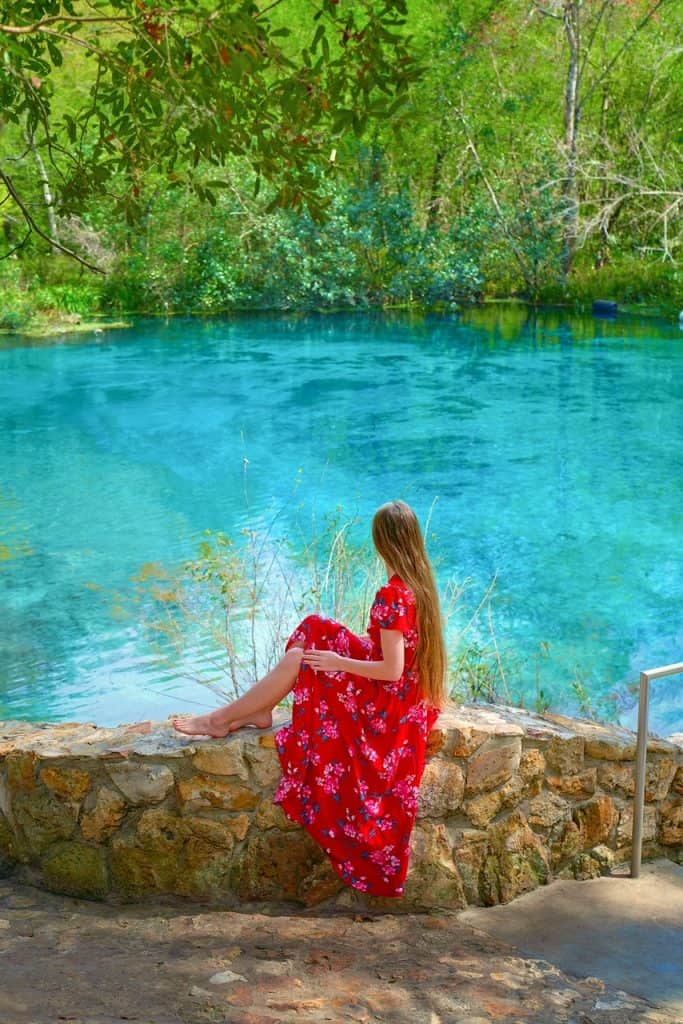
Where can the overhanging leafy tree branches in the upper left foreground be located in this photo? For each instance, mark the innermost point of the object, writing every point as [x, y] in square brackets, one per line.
[179, 86]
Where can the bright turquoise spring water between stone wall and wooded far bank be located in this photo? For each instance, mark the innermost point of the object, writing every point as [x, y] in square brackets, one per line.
[553, 446]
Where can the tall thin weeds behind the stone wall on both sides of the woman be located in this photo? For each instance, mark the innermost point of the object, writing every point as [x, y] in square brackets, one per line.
[227, 613]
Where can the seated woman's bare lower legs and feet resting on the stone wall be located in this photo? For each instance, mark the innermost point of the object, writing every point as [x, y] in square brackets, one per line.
[254, 708]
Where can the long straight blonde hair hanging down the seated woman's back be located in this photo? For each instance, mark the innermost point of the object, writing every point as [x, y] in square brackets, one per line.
[399, 541]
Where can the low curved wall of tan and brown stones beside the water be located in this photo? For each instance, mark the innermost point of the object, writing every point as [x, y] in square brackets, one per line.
[509, 801]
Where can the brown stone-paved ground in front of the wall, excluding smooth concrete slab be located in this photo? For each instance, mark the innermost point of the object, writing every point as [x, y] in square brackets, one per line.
[64, 959]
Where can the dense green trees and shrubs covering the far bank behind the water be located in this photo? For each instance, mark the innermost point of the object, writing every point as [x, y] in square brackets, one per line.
[531, 150]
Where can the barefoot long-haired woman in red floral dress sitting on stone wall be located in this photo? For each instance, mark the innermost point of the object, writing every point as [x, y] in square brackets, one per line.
[364, 706]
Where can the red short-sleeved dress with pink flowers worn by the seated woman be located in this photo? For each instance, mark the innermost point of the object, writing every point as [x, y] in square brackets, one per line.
[355, 753]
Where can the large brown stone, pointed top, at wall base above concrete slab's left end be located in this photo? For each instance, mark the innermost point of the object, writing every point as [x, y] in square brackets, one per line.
[517, 861]
